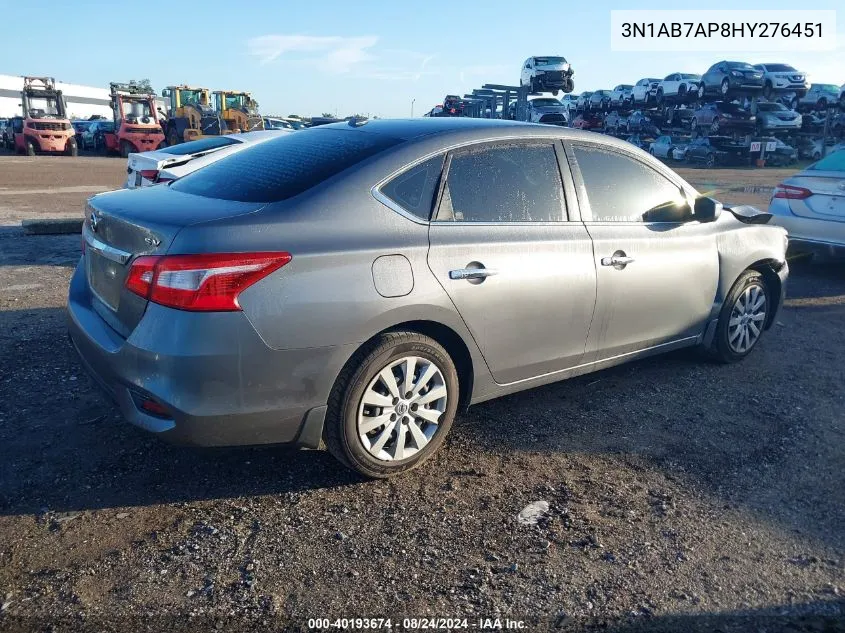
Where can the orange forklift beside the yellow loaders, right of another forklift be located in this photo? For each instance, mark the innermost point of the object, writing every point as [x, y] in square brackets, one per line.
[136, 126]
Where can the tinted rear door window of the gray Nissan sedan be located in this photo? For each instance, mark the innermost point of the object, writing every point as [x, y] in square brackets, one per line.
[503, 182]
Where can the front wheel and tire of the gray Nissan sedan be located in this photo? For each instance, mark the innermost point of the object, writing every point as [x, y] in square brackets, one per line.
[748, 301]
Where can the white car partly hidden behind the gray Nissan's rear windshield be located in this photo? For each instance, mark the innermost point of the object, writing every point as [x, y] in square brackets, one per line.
[151, 168]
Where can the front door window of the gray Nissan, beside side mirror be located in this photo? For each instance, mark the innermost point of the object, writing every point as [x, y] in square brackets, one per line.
[621, 189]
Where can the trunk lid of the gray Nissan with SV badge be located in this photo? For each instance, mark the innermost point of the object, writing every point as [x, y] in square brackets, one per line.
[122, 225]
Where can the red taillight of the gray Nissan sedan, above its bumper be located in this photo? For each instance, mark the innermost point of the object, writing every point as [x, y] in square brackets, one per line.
[200, 282]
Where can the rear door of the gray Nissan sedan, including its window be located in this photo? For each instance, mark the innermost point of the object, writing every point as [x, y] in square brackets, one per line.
[513, 256]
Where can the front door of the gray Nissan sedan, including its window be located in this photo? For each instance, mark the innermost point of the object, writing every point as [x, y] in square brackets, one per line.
[657, 269]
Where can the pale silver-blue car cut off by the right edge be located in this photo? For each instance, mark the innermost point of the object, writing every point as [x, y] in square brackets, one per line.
[811, 206]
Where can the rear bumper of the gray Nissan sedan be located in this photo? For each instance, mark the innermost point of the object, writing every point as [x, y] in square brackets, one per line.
[219, 383]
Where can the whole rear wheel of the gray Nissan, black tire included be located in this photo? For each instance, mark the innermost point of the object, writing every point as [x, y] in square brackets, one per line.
[371, 371]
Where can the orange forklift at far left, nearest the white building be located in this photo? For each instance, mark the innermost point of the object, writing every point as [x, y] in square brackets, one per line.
[44, 126]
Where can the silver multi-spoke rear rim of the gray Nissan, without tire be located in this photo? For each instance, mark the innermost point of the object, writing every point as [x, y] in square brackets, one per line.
[400, 410]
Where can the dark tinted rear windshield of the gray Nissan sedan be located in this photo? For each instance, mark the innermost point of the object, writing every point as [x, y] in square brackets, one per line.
[284, 167]
